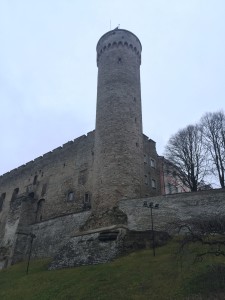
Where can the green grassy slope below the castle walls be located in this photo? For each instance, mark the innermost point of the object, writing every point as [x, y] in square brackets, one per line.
[136, 276]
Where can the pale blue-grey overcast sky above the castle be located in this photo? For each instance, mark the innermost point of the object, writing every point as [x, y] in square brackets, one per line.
[48, 72]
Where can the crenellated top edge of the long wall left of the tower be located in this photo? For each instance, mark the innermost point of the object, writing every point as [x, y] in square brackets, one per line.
[47, 156]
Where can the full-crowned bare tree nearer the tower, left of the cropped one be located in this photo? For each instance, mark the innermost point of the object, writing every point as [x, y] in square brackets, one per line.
[185, 150]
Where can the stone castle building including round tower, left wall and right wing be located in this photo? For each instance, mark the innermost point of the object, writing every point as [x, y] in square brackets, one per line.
[58, 192]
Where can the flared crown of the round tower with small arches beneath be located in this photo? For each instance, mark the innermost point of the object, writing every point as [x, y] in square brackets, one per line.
[119, 38]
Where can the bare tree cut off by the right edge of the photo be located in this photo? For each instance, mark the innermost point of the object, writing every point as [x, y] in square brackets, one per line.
[213, 126]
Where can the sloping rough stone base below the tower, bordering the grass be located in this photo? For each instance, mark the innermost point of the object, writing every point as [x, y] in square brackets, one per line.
[104, 245]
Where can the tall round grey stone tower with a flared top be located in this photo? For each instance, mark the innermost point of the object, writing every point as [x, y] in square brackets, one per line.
[118, 166]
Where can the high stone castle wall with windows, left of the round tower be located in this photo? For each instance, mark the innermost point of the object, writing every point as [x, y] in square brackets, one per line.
[58, 183]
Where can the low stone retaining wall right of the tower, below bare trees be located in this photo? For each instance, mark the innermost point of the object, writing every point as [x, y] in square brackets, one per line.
[175, 207]
